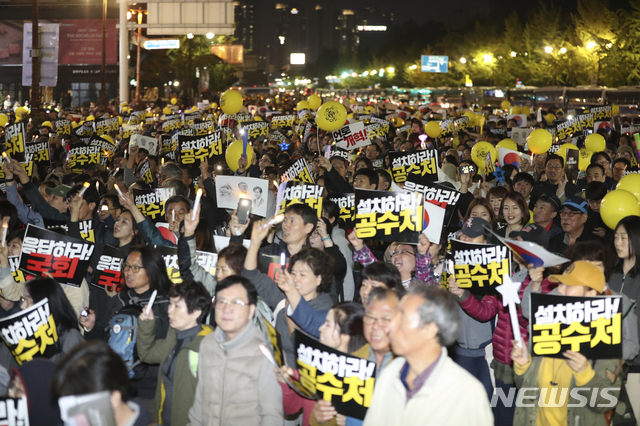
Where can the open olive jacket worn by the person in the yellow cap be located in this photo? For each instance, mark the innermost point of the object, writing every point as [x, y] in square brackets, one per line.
[526, 414]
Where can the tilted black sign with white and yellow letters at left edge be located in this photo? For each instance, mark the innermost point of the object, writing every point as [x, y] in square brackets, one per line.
[31, 333]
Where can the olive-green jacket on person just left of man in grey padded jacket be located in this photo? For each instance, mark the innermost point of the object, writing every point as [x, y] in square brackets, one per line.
[156, 351]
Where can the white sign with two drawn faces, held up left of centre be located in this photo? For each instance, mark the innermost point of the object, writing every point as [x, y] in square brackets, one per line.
[230, 189]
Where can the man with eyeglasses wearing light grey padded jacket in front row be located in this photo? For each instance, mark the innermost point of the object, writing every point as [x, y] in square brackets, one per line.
[236, 383]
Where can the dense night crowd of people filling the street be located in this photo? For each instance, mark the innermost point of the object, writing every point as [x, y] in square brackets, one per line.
[442, 354]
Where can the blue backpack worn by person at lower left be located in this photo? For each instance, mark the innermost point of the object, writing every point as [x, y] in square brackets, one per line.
[123, 335]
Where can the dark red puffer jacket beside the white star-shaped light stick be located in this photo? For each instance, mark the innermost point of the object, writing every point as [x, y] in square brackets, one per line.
[489, 306]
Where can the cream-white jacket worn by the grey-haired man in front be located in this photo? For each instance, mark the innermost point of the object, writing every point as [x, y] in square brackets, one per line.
[438, 402]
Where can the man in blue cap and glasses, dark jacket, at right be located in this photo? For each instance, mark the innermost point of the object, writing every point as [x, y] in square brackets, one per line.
[573, 217]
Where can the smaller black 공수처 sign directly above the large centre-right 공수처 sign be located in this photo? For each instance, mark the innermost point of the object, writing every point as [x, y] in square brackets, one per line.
[423, 164]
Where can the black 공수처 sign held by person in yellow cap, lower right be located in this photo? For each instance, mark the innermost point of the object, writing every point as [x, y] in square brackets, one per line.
[589, 325]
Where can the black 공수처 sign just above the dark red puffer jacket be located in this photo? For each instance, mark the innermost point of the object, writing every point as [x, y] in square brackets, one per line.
[479, 268]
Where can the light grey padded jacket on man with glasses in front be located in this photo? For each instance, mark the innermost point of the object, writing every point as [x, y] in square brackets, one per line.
[236, 383]
